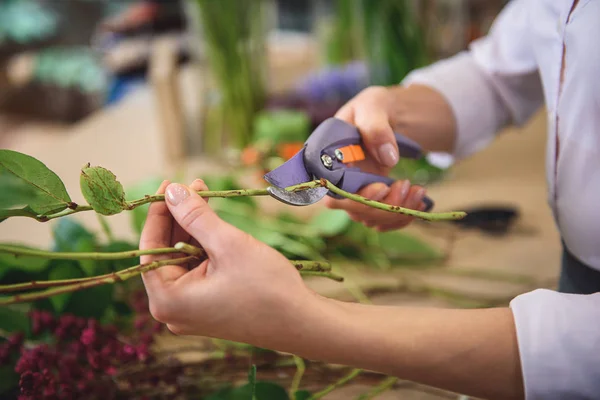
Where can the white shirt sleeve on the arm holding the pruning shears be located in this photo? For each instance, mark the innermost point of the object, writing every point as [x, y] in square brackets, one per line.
[493, 84]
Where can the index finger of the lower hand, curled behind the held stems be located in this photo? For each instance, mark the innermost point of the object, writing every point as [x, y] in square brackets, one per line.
[157, 233]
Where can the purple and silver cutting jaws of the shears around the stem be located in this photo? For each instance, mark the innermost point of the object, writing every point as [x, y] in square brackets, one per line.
[293, 172]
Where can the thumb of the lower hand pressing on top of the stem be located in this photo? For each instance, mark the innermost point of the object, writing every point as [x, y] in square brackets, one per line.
[196, 217]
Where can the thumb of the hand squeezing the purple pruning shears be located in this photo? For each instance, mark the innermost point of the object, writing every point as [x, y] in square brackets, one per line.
[373, 123]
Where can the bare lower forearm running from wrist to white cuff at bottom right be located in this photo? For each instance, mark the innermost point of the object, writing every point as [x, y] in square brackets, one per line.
[471, 352]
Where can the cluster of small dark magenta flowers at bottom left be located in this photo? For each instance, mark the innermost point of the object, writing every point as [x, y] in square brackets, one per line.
[82, 356]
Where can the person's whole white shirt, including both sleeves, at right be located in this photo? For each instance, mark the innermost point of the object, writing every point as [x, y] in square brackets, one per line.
[503, 79]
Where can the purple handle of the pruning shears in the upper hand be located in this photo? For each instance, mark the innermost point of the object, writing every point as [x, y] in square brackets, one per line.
[334, 133]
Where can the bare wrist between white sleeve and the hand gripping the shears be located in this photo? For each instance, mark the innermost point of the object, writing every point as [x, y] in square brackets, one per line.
[424, 115]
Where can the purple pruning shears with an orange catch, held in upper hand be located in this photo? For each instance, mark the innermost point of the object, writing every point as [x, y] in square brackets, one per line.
[327, 154]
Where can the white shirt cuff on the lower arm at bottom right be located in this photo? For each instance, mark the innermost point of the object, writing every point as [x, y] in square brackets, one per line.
[559, 344]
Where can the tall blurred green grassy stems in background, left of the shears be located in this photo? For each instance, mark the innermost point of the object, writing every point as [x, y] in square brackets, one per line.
[234, 38]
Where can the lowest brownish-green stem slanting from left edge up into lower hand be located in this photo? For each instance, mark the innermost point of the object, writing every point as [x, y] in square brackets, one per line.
[97, 281]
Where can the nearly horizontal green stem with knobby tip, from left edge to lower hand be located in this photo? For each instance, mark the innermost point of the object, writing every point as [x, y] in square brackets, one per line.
[50, 255]
